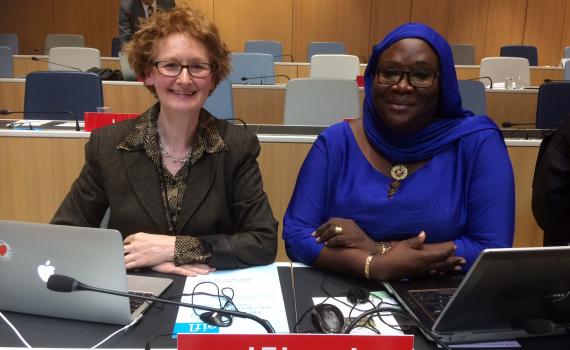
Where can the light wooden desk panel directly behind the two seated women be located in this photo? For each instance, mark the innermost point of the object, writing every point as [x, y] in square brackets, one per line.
[42, 170]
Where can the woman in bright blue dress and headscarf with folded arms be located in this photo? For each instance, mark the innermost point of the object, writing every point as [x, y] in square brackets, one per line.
[418, 185]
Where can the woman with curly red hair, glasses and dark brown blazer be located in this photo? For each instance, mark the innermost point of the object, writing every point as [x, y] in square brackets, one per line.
[183, 187]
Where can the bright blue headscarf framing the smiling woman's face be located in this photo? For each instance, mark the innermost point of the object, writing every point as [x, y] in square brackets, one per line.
[453, 123]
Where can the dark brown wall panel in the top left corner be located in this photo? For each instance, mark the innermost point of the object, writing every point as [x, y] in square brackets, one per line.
[30, 19]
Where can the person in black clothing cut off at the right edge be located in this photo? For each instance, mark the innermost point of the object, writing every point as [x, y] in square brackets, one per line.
[551, 187]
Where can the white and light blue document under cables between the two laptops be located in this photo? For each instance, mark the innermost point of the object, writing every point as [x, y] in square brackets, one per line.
[256, 290]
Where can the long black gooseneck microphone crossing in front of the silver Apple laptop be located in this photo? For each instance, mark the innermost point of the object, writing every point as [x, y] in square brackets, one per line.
[66, 284]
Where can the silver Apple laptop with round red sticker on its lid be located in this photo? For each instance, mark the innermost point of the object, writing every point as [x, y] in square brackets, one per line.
[30, 253]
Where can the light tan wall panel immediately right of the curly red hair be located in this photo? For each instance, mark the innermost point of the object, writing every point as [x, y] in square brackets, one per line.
[242, 20]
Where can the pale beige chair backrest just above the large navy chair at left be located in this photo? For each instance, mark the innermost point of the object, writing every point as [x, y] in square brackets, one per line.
[75, 57]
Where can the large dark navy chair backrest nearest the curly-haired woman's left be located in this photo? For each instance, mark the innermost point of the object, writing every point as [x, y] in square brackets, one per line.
[77, 92]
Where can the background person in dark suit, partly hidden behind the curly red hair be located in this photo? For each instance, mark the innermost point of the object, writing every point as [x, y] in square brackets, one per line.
[132, 11]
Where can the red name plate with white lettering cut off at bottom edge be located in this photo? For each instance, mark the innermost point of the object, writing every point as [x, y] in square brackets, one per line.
[294, 342]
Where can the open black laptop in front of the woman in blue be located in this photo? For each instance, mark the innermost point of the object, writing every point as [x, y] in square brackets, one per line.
[507, 294]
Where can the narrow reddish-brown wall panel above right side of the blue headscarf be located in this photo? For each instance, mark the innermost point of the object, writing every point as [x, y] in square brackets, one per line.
[432, 13]
